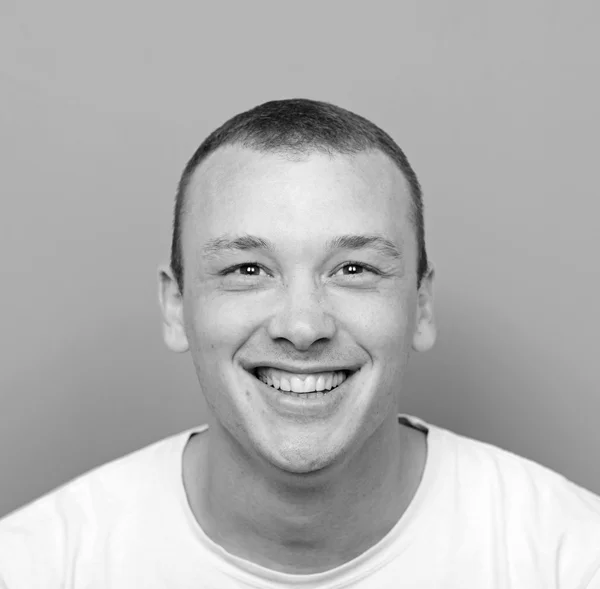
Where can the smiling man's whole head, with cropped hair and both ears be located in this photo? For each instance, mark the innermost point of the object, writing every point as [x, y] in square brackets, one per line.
[298, 243]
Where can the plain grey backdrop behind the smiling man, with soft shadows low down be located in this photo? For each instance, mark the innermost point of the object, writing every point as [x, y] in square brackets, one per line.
[496, 105]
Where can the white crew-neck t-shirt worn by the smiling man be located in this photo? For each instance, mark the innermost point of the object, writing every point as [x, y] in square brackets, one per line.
[481, 518]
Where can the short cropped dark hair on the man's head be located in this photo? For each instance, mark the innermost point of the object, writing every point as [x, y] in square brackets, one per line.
[297, 127]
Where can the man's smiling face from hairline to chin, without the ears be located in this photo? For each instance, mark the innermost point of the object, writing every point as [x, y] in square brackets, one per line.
[299, 305]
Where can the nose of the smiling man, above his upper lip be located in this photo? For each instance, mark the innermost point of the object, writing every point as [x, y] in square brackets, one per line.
[303, 316]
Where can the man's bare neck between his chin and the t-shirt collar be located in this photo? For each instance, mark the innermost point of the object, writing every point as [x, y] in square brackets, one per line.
[297, 523]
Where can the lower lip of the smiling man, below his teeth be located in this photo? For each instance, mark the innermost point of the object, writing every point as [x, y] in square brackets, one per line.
[319, 406]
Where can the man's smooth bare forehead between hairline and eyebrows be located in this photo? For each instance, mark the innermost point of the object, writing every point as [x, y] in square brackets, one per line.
[239, 190]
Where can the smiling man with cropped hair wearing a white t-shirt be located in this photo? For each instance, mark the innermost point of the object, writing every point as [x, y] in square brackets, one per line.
[299, 282]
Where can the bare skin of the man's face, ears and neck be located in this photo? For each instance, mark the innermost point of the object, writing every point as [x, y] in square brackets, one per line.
[293, 493]
